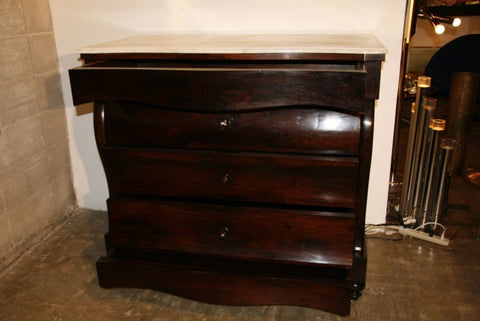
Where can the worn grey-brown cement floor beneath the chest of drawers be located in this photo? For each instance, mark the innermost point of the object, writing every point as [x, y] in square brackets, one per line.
[406, 280]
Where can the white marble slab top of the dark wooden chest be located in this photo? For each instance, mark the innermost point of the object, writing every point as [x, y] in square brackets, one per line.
[231, 44]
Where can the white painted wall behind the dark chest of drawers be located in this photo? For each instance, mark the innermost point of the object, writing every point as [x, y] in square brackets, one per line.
[81, 23]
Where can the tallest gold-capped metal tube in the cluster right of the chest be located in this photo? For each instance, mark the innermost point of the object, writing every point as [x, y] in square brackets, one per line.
[423, 84]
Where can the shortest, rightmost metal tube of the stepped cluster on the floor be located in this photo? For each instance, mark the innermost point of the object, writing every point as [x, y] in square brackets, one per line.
[446, 148]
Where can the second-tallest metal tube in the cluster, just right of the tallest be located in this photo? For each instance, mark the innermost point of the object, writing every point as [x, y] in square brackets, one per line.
[420, 169]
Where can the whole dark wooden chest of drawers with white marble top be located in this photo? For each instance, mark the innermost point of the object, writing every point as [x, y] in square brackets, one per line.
[235, 176]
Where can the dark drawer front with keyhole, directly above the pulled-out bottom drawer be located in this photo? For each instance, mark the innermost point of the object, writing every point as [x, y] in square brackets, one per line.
[282, 235]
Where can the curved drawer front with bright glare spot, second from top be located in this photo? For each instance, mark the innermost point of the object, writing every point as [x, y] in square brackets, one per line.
[290, 130]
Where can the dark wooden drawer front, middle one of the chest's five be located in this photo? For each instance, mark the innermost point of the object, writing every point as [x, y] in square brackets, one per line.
[265, 178]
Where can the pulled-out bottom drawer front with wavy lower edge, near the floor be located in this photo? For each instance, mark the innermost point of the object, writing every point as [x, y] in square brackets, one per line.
[224, 286]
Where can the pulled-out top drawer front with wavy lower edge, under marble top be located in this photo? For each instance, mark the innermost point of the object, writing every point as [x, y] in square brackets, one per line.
[221, 89]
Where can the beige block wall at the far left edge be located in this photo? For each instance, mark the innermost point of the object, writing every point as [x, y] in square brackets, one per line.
[36, 191]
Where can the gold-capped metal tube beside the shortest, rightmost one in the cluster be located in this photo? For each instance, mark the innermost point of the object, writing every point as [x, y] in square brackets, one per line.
[436, 126]
